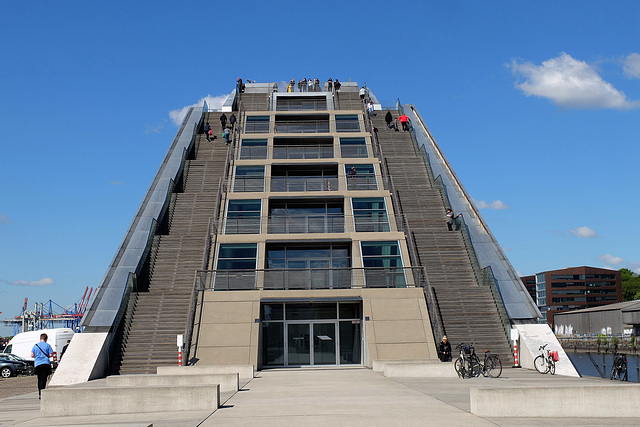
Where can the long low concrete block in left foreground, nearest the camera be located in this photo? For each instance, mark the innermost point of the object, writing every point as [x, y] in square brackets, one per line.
[80, 400]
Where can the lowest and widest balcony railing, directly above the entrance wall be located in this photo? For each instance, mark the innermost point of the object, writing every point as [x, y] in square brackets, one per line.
[311, 278]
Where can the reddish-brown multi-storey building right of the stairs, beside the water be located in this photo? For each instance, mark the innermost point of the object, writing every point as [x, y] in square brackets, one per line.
[573, 289]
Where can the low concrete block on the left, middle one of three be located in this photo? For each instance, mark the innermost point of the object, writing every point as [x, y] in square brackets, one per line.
[228, 382]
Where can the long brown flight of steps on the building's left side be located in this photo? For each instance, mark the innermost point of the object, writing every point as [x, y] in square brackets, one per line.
[161, 312]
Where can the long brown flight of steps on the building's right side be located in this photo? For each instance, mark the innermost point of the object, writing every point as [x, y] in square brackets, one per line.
[468, 310]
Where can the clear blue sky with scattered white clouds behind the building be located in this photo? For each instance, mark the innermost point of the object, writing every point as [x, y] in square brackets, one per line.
[536, 105]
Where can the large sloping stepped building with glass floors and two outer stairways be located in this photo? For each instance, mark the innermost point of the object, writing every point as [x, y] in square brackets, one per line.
[317, 236]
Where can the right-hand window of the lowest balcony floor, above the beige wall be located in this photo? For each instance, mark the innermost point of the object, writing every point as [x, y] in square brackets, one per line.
[383, 264]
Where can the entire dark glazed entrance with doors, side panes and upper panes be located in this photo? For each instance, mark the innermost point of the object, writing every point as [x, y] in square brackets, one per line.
[311, 334]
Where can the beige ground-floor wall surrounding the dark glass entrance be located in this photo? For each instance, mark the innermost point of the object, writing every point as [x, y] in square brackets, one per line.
[227, 329]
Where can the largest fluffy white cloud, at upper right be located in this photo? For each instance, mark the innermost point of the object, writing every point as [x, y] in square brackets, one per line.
[570, 83]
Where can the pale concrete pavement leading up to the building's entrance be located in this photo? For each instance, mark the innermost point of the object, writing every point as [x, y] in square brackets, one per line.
[337, 396]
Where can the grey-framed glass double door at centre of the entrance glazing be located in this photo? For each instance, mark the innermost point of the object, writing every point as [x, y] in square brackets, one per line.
[311, 344]
